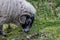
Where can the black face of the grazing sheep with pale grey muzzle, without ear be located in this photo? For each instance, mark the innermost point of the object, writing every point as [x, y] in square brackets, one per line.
[28, 23]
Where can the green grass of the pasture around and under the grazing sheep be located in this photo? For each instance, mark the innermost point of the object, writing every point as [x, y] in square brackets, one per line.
[47, 21]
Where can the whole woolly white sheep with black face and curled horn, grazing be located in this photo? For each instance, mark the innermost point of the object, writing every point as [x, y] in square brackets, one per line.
[19, 12]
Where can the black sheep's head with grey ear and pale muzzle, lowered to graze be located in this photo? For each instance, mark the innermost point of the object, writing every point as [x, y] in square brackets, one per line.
[26, 22]
